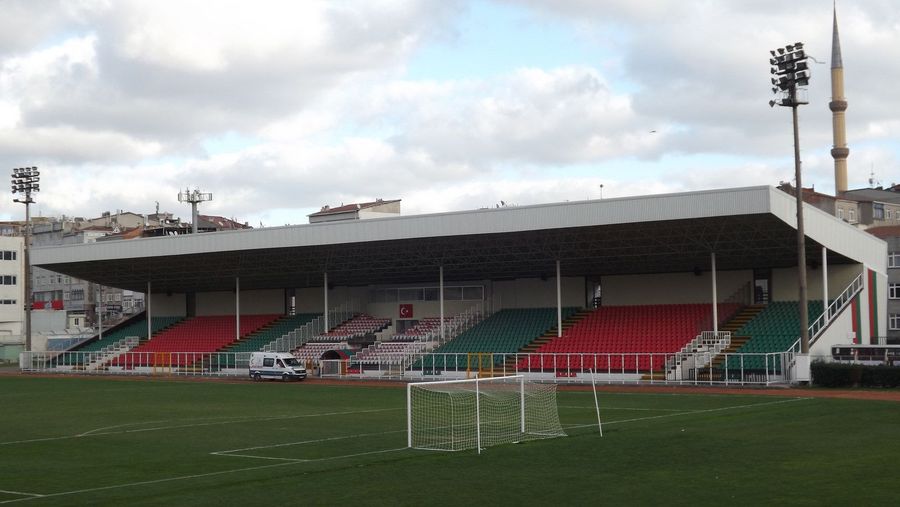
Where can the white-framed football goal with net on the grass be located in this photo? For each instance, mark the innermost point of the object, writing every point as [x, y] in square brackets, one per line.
[473, 414]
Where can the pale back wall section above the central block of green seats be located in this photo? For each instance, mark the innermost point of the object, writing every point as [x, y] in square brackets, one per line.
[537, 293]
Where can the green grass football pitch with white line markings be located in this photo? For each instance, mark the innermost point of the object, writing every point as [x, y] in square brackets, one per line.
[96, 441]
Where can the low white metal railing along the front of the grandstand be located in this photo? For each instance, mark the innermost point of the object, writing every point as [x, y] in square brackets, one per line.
[699, 368]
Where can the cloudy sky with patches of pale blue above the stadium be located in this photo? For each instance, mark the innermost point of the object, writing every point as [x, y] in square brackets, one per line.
[280, 107]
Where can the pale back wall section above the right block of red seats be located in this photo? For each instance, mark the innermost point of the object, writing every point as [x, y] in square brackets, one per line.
[658, 289]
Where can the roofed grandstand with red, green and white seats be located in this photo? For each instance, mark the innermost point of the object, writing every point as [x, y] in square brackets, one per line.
[627, 278]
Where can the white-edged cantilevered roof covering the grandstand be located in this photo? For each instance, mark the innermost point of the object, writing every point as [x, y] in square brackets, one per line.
[746, 227]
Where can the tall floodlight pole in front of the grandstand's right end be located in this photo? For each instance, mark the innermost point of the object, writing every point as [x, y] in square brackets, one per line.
[790, 71]
